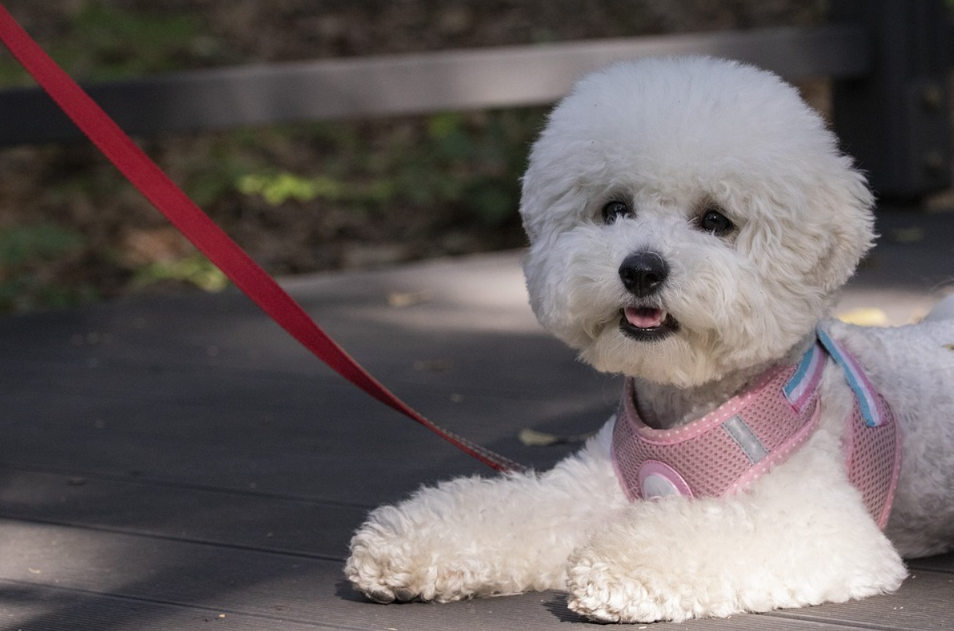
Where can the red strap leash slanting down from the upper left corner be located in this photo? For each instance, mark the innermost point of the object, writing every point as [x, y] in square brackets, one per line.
[169, 199]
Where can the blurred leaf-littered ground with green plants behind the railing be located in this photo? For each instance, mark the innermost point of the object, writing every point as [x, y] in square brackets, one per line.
[72, 231]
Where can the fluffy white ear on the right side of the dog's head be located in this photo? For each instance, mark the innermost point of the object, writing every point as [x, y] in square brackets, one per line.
[848, 202]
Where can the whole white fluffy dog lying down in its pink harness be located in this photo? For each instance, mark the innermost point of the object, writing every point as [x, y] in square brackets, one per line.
[690, 223]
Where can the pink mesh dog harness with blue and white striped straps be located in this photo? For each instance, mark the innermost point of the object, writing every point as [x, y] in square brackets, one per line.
[732, 446]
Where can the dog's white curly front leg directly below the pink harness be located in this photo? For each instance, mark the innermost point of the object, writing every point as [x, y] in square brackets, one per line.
[677, 558]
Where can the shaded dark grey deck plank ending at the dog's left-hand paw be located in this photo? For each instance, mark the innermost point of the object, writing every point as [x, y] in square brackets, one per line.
[250, 520]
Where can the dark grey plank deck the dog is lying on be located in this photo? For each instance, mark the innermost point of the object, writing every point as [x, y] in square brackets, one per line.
[179, 463]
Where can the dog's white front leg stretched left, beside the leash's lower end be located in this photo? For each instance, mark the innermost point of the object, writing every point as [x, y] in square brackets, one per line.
[485, 536]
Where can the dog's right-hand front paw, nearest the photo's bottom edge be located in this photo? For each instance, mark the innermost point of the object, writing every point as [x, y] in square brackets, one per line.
[607, 592]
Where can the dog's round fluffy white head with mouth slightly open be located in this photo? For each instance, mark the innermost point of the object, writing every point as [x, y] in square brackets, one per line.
[688, 218]
